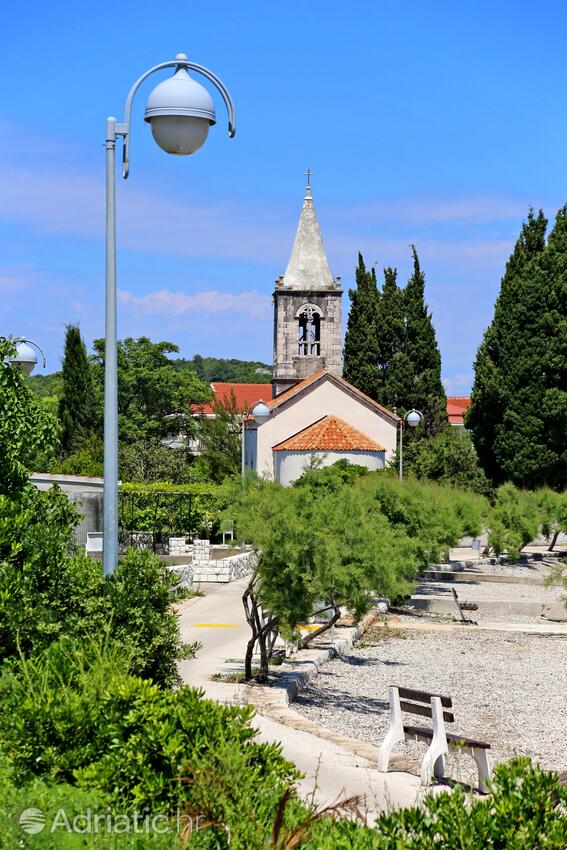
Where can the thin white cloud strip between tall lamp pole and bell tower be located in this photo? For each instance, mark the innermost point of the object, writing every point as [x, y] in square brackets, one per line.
[165, 302]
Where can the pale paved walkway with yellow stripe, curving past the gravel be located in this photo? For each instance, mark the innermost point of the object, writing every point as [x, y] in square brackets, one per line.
[331, 770]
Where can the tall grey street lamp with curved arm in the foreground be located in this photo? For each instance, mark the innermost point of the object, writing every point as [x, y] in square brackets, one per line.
[180, 112]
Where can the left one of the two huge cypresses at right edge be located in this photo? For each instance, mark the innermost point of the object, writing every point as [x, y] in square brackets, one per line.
[503, 350]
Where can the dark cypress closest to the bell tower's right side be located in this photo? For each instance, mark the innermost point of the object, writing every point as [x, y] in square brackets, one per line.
[361, 344]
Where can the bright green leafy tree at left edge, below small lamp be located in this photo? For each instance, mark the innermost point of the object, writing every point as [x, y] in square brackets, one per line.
[26, 428]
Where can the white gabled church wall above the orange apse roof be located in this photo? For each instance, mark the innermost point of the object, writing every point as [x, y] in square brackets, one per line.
[324, 398]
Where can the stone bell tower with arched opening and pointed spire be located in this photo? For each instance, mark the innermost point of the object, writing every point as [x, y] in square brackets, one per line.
[307, 308]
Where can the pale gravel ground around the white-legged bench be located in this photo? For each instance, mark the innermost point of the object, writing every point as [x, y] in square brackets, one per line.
[507, 689]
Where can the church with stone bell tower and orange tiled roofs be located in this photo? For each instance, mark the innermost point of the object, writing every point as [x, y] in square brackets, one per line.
[315, 416]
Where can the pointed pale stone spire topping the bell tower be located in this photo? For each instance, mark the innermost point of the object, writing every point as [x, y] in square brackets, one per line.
[308, 267]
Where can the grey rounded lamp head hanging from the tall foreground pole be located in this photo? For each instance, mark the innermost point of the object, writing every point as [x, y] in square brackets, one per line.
[180, 112]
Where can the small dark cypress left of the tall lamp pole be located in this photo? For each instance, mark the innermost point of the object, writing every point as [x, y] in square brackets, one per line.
[77, 408]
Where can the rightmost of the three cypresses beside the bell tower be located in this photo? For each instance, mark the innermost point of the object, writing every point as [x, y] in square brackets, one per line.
[427, 392]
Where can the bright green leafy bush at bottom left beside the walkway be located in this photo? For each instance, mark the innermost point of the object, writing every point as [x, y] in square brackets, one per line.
[75, 714]
